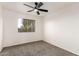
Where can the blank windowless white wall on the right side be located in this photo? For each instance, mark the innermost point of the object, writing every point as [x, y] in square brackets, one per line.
[62, 28]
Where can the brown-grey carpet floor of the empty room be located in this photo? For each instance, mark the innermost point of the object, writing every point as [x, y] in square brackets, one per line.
[39, 48]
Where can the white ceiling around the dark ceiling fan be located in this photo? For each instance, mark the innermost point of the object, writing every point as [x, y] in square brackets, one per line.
[50, 6]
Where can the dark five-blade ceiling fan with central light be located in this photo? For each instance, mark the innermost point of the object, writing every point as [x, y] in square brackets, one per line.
[37, 8]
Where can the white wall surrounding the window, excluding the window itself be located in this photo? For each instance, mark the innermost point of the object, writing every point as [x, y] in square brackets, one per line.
[11, 34]
